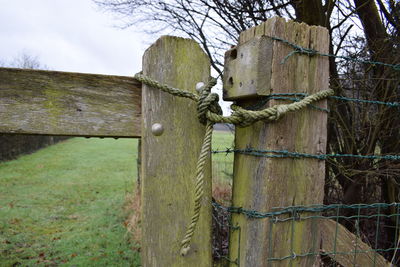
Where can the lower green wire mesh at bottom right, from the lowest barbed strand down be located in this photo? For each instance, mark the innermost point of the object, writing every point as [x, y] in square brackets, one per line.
[340, 246]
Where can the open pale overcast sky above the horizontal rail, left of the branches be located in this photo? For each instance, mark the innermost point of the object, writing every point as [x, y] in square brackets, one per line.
[69, 35]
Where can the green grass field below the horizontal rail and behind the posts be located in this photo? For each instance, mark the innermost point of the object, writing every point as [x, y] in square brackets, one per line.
[65, 205]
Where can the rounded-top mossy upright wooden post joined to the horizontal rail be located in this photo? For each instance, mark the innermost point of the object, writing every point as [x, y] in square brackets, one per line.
[169, 161]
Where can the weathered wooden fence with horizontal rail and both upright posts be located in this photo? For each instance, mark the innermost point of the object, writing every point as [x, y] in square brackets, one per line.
[74, 104]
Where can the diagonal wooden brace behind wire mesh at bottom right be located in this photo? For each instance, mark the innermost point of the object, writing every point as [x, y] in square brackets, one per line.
[336, 238]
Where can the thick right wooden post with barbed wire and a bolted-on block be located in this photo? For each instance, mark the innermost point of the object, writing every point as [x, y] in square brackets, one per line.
[252, 70]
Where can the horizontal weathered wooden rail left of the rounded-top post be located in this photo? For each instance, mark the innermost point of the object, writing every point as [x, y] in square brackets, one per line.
[65, 103]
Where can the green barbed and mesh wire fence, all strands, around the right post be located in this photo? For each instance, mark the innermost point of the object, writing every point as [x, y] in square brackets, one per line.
[352, 235]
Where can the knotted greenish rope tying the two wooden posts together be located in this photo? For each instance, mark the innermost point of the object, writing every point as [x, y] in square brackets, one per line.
[209, 113]
